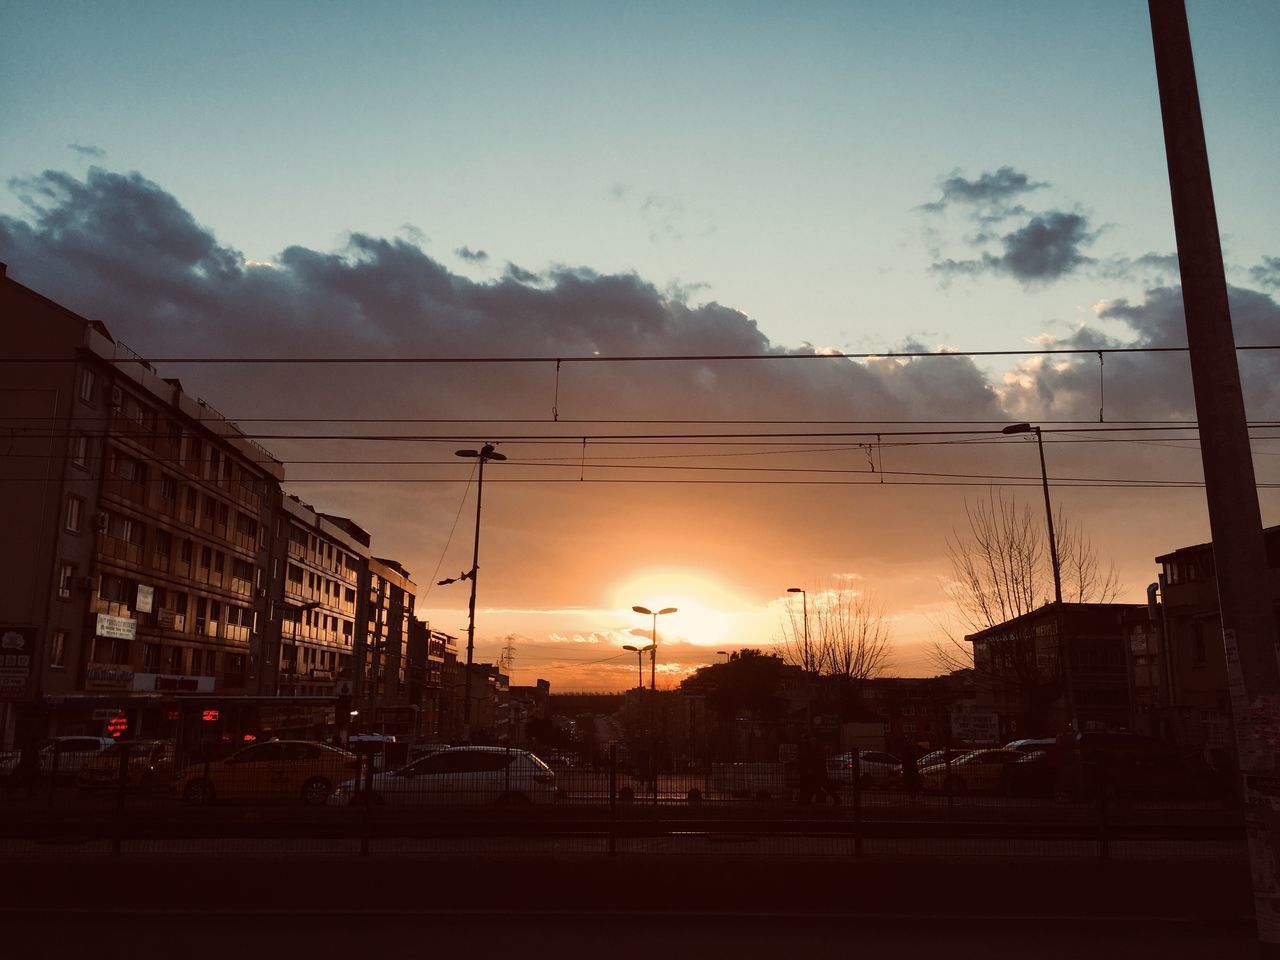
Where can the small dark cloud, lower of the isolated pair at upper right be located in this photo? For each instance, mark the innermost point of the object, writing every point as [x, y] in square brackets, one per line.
[1048, 248]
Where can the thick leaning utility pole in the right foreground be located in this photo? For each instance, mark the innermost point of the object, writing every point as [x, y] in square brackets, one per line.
[1236, 523]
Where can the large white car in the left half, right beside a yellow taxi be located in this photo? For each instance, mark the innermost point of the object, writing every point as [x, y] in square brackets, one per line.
[459, 776]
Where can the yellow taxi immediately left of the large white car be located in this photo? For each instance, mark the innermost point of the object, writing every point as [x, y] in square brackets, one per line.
[272, 771]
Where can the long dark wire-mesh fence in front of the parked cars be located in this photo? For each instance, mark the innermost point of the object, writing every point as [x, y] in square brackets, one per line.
[299, 797]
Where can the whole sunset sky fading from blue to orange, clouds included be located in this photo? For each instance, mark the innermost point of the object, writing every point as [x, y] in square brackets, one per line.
[572, 181]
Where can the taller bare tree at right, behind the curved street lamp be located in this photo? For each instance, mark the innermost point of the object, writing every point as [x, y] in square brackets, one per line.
[1002, 570]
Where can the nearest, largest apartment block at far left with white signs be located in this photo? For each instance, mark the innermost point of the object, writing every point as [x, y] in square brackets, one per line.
[140, 518]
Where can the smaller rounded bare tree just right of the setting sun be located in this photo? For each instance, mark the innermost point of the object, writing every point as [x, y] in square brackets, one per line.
[848, 634]
